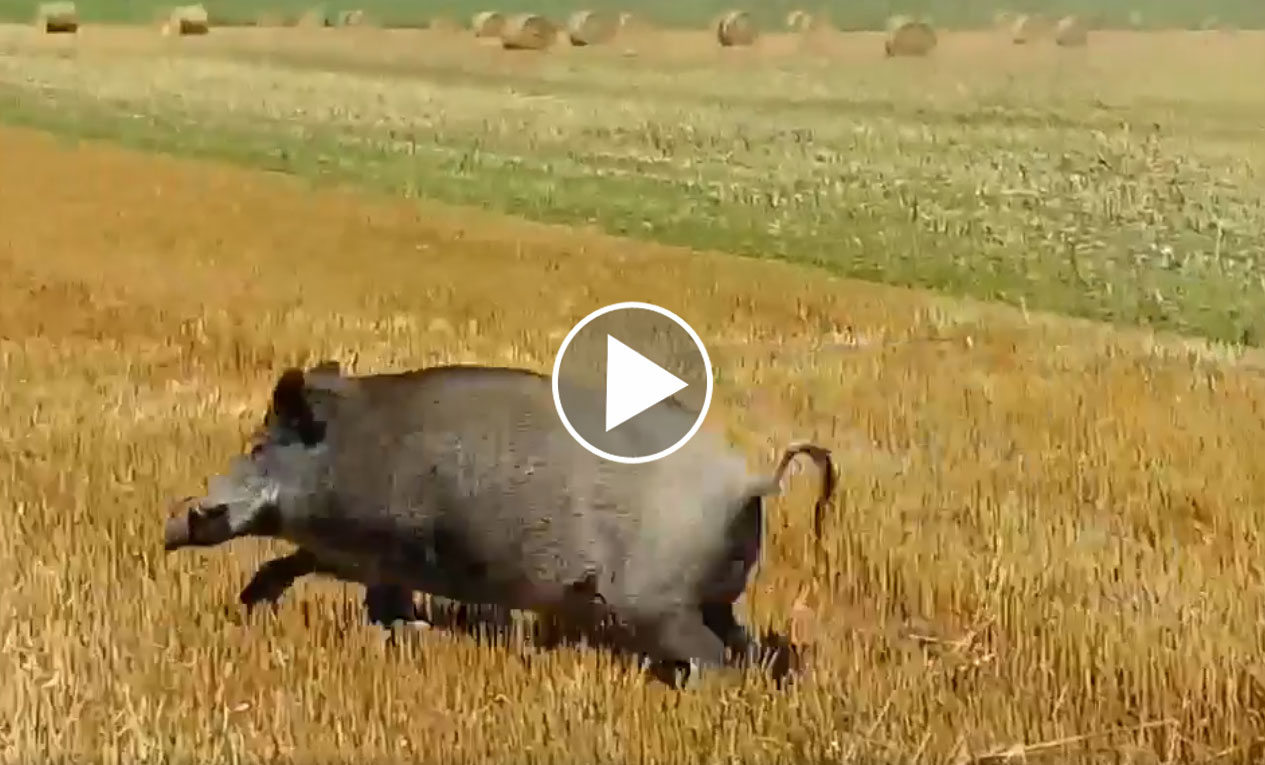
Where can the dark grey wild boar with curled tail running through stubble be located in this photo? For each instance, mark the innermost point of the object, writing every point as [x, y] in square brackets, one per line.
[462, 482]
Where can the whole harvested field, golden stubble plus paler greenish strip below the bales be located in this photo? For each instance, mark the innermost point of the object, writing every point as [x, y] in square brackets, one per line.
[1048, 532]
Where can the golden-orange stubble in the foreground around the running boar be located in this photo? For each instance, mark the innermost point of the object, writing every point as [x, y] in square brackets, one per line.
[1046, 528]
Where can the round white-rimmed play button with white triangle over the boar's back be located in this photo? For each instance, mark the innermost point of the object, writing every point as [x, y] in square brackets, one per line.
[632, 382]
